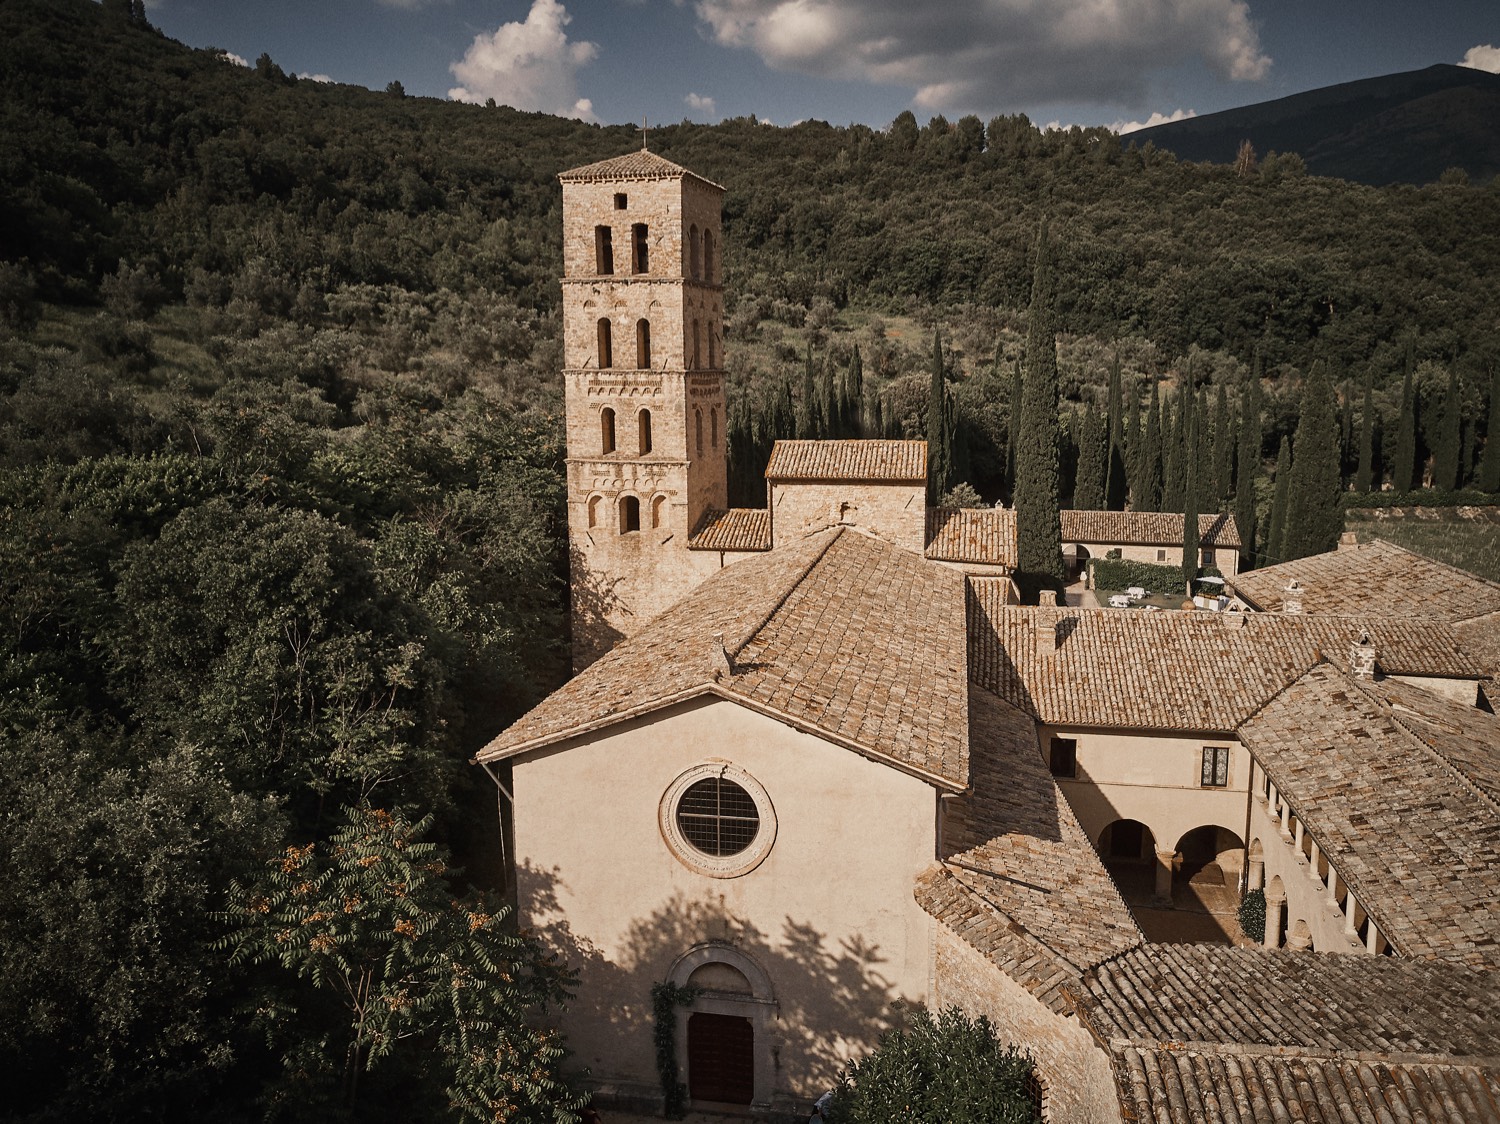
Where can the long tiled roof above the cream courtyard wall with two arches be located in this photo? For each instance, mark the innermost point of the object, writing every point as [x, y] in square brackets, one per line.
[1202, 672]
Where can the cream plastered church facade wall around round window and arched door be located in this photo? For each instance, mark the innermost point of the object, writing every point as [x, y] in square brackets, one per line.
[829, 915]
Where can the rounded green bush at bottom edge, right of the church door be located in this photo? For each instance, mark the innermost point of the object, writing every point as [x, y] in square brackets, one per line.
[946, 1069]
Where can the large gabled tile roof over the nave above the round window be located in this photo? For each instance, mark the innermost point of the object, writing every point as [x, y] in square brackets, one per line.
[808, 643]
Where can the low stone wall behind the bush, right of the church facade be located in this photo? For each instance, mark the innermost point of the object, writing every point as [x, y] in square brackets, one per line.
[1076, 1075]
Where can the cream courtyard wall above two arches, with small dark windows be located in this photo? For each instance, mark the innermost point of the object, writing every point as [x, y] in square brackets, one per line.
[1154, 780]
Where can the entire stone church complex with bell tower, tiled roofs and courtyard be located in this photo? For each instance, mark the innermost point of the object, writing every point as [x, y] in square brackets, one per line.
[818, 765]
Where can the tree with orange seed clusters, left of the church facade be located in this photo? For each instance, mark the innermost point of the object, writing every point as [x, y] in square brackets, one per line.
[395, 972]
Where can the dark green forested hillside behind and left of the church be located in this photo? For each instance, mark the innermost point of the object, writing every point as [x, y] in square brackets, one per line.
[281, 527]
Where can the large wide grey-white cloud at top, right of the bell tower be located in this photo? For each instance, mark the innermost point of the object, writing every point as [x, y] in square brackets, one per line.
[989, 56]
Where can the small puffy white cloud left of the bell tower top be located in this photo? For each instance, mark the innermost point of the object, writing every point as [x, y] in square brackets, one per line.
[532, 65]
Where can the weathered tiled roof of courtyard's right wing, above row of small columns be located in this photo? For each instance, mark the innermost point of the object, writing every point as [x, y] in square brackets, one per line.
[1408, 826]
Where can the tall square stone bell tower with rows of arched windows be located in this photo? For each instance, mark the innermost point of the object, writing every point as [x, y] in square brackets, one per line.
[643, 329]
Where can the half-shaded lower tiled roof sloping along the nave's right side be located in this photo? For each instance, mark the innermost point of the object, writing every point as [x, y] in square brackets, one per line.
[1015, 844]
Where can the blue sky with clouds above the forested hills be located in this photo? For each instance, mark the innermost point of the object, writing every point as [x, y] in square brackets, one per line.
[1120, 64]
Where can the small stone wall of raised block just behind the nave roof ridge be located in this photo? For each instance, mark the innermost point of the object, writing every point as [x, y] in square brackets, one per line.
[896, 512]
